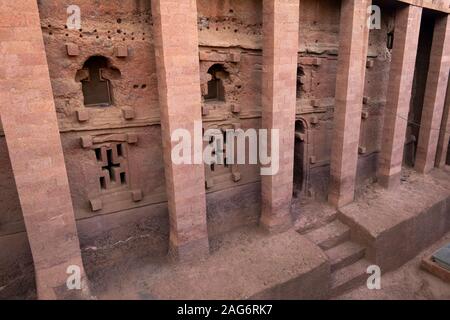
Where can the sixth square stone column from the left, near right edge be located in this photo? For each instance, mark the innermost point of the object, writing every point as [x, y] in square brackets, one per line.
[433, 104]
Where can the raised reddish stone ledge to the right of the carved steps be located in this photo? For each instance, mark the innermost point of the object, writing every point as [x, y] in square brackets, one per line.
[396, 225]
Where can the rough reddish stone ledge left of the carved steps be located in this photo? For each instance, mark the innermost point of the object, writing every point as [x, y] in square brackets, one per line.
[284, 266]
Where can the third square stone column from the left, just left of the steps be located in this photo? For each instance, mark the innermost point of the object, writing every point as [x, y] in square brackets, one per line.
[280, 50]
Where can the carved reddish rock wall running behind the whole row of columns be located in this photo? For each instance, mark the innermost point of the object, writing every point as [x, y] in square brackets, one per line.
[230, 33]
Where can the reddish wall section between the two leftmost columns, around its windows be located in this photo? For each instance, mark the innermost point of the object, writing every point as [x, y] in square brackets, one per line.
[122, 223]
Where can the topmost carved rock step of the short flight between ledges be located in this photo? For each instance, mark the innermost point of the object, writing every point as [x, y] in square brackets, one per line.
[330, 235]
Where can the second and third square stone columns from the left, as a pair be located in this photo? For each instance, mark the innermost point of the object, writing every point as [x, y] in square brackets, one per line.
[179, 91]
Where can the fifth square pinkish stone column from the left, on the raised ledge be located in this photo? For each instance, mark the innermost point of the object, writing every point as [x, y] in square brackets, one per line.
[401, 76]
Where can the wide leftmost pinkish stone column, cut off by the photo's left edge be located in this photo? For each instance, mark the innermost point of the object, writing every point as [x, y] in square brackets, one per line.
[31, 129]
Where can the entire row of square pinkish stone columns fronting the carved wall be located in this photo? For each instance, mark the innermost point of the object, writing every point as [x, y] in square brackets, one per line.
[28, 115]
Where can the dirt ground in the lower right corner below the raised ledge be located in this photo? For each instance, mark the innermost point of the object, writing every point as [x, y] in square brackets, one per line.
[409, 282]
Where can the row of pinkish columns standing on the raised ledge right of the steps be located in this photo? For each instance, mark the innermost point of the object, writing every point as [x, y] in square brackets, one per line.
[349, 95]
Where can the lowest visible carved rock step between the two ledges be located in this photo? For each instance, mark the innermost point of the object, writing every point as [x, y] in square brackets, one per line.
[349, 277]
